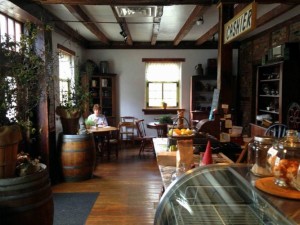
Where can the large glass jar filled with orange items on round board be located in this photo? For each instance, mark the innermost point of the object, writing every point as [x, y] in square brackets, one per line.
[284, 160]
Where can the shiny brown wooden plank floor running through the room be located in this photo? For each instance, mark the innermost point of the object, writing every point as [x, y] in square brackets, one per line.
[129, 189]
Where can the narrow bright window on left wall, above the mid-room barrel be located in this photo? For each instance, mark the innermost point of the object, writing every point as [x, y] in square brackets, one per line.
[66, 74]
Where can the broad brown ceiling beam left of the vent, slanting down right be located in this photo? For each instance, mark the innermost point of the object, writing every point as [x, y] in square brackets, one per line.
[78, 13]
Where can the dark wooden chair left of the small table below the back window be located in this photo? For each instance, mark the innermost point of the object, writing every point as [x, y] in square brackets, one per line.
[146, 141]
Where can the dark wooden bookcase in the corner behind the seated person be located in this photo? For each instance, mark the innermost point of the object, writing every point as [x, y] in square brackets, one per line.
[103, 92]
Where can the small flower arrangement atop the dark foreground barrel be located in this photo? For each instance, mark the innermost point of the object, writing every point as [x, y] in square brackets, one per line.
[26, 165]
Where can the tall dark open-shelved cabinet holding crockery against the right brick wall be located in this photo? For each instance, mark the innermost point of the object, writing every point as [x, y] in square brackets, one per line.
[277, 86]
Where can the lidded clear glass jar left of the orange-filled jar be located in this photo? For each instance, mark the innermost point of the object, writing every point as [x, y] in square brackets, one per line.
[258, 155]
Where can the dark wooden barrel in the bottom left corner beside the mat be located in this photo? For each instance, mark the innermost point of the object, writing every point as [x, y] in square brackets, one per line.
[27, 200]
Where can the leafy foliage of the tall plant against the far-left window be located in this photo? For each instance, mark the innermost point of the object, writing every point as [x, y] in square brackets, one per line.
[21, 71]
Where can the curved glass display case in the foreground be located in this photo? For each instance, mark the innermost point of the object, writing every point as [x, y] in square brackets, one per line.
[222, 194]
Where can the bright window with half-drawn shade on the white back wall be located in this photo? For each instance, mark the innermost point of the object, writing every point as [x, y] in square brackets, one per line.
[162, 83]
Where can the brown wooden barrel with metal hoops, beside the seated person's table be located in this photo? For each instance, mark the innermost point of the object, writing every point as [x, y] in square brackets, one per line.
[78, 157]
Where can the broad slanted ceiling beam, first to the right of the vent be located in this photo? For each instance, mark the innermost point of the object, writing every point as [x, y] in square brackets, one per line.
[190, 22]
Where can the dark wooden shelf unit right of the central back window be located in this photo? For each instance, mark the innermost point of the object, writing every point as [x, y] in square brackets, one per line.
[201, 94]
